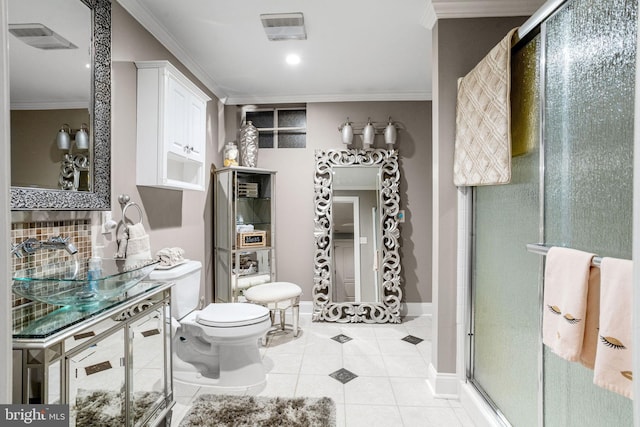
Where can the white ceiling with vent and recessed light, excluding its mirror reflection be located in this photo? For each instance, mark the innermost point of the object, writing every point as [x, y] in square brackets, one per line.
[356, 50]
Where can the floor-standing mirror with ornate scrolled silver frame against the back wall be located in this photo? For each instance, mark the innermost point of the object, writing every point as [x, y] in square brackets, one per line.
[357, 261]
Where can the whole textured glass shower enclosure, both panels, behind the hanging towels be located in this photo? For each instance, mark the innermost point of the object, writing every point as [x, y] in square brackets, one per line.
[572, 174]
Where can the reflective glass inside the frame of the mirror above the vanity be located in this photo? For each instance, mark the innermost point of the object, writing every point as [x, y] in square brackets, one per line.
[50, 93]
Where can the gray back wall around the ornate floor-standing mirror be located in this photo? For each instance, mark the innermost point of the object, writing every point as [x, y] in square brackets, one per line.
[294, 204]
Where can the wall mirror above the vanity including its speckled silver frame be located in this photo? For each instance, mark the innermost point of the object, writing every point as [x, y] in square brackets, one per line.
[60, 101]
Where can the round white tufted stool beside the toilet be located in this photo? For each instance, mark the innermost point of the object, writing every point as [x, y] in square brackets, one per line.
[277, 296]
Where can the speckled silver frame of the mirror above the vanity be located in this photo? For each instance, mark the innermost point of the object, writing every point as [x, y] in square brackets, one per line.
[23, 198]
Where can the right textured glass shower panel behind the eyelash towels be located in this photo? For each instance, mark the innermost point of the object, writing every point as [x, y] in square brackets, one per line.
[588, 133]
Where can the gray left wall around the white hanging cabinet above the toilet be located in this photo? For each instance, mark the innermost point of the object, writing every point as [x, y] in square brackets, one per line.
[171, 218]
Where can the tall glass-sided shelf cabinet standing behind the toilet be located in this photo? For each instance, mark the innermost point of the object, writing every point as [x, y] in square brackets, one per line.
[244, 206]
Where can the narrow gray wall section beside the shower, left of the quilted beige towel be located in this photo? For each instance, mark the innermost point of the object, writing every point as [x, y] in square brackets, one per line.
[458, 45]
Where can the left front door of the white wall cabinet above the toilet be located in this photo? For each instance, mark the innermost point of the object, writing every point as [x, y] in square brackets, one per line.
[177, 122]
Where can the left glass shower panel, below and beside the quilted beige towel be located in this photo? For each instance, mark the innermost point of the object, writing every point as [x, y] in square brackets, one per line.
[505, 288]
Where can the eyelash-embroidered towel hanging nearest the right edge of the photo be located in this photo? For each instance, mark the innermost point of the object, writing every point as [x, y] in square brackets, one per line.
[613, 365]
